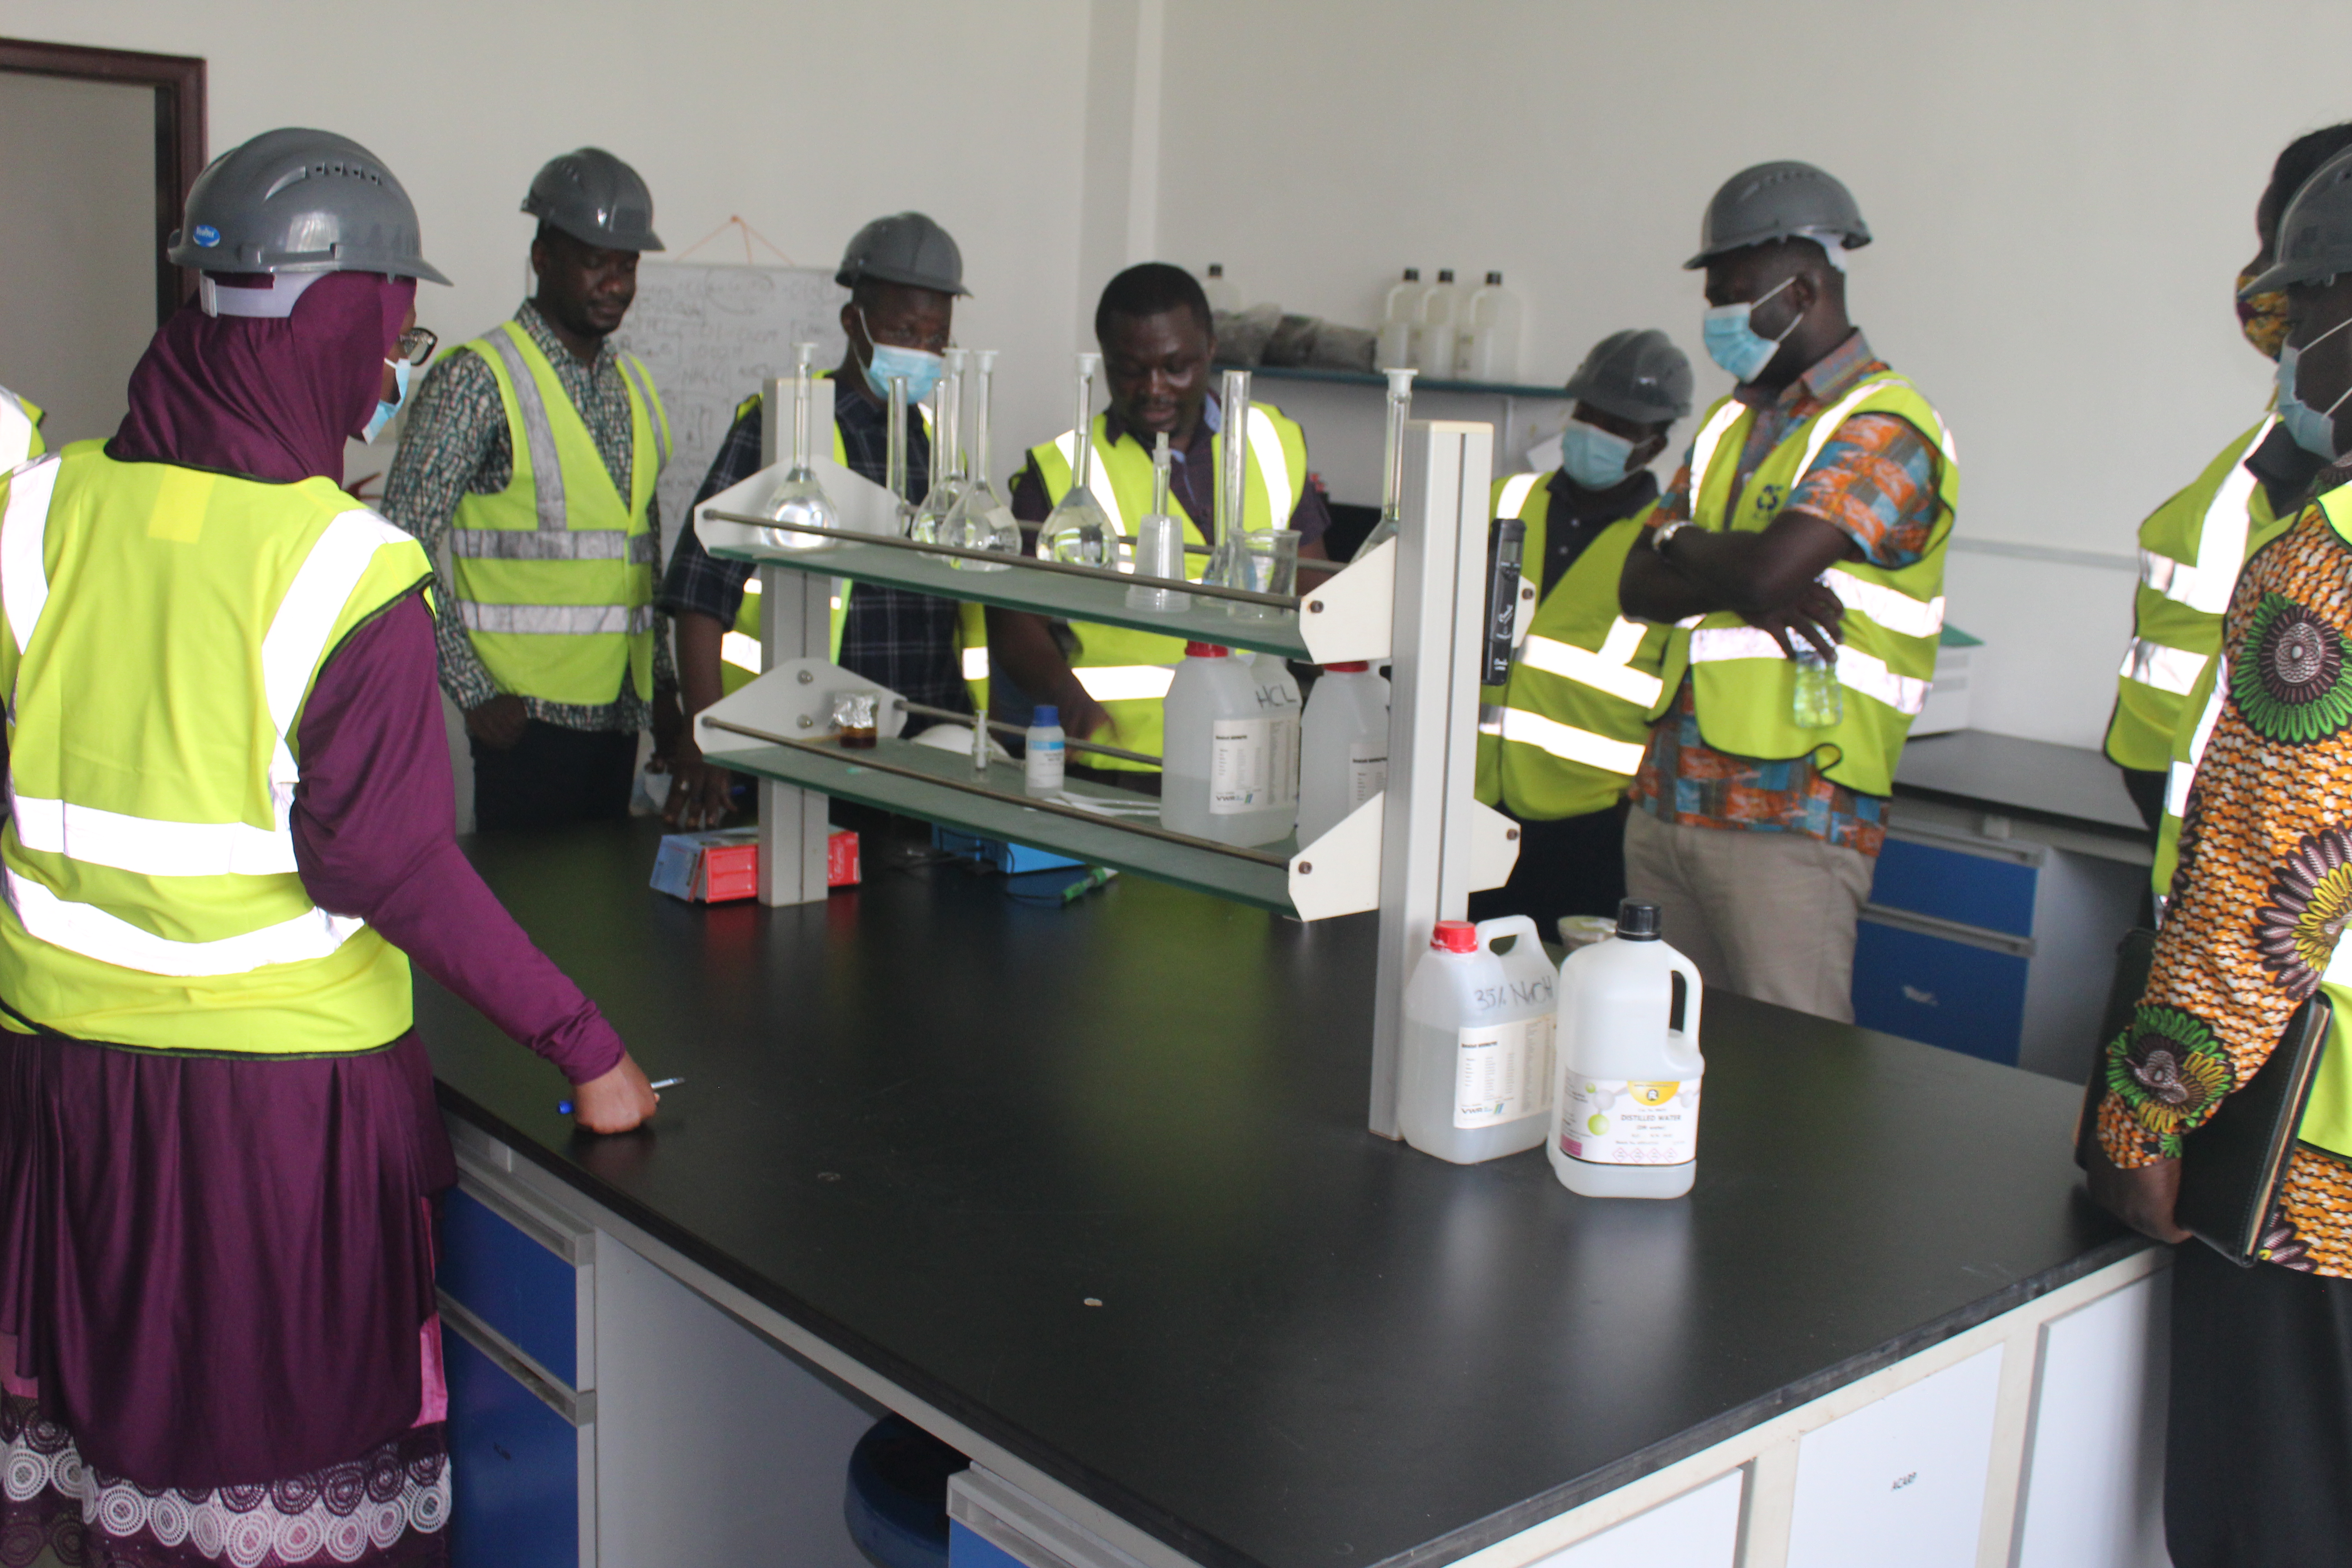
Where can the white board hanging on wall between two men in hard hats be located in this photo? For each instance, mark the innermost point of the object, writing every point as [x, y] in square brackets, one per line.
[711, 335]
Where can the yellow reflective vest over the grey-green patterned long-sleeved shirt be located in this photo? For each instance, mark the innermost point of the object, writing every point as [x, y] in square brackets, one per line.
[554, 575]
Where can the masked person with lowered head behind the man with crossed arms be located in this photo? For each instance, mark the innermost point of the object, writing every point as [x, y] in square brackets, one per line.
[1563, 737]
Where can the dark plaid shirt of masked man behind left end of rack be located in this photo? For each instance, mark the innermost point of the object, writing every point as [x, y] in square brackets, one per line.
[890, 636]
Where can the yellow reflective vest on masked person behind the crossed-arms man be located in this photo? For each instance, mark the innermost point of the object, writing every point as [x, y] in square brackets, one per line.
[1565, 735]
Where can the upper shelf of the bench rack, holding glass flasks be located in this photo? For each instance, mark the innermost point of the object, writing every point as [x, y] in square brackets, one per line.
[1045, 594]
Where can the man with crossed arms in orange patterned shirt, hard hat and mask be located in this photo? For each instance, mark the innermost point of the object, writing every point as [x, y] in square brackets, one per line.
[1805, 540]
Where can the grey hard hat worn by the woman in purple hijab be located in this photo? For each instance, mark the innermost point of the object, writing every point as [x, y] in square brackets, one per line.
[300, 201]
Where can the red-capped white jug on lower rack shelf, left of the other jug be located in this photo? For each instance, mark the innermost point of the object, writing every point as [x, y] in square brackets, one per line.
[1229, 749]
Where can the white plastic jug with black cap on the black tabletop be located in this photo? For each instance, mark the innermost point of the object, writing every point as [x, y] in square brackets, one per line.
[1626, 1104]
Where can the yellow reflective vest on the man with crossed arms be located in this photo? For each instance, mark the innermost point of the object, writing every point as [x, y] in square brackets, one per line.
[1887, 657]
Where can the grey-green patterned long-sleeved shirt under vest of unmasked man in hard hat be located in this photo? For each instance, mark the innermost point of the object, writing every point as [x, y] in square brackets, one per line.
[453, 445]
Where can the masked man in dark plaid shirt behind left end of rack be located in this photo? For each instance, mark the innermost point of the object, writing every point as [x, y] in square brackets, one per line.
[904, 276]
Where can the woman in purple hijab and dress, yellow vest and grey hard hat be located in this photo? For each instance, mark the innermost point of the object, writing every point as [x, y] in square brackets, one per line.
[220, 1155]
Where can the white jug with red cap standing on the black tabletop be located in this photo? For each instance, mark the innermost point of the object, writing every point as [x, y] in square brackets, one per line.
[1476, 1073]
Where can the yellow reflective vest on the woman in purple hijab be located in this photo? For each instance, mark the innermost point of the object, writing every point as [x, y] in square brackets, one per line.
[163, 634]
